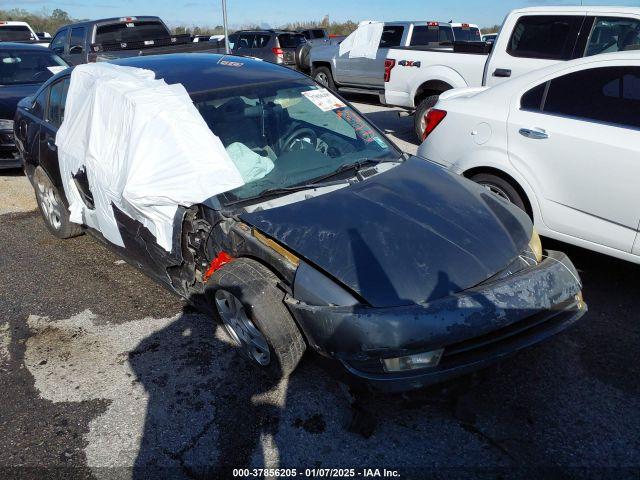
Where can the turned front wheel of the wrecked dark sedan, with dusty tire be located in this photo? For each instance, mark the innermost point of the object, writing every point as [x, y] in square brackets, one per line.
[251, 309]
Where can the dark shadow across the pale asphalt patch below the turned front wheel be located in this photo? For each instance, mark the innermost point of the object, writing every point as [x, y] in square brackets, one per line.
[204, 413]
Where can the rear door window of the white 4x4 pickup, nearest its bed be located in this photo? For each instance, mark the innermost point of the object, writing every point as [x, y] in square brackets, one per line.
[545, 36]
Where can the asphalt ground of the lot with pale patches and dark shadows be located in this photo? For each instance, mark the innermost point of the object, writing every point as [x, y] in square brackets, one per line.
[104, 374]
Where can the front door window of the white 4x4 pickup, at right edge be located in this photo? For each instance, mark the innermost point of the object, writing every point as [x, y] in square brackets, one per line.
[613, 35]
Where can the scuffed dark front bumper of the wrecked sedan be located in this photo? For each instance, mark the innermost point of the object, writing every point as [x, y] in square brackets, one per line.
[476, 327]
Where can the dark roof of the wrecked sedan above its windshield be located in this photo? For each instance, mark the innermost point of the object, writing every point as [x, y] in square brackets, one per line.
[201, 72]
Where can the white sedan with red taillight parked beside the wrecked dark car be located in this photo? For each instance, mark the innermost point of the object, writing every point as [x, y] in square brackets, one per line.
[563, 143]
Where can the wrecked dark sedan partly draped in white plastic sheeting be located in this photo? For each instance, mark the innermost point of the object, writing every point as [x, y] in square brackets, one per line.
[402, 273]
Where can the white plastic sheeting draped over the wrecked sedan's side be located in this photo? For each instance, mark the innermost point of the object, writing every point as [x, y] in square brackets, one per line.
[145, 148]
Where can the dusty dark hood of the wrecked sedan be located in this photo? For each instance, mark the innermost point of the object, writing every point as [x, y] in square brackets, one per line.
[412, 234]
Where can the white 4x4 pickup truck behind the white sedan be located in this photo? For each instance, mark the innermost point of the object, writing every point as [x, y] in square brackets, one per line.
[529, 39]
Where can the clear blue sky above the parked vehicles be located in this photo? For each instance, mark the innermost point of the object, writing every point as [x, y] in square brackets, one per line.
[279, 12]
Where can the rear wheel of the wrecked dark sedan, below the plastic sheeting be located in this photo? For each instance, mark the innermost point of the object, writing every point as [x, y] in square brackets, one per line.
[53, 210]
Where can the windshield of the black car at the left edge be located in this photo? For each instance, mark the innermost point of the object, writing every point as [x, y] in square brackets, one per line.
[27, 67]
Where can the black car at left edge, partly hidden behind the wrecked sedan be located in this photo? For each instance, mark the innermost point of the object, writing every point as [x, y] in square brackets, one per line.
[23, 69]
